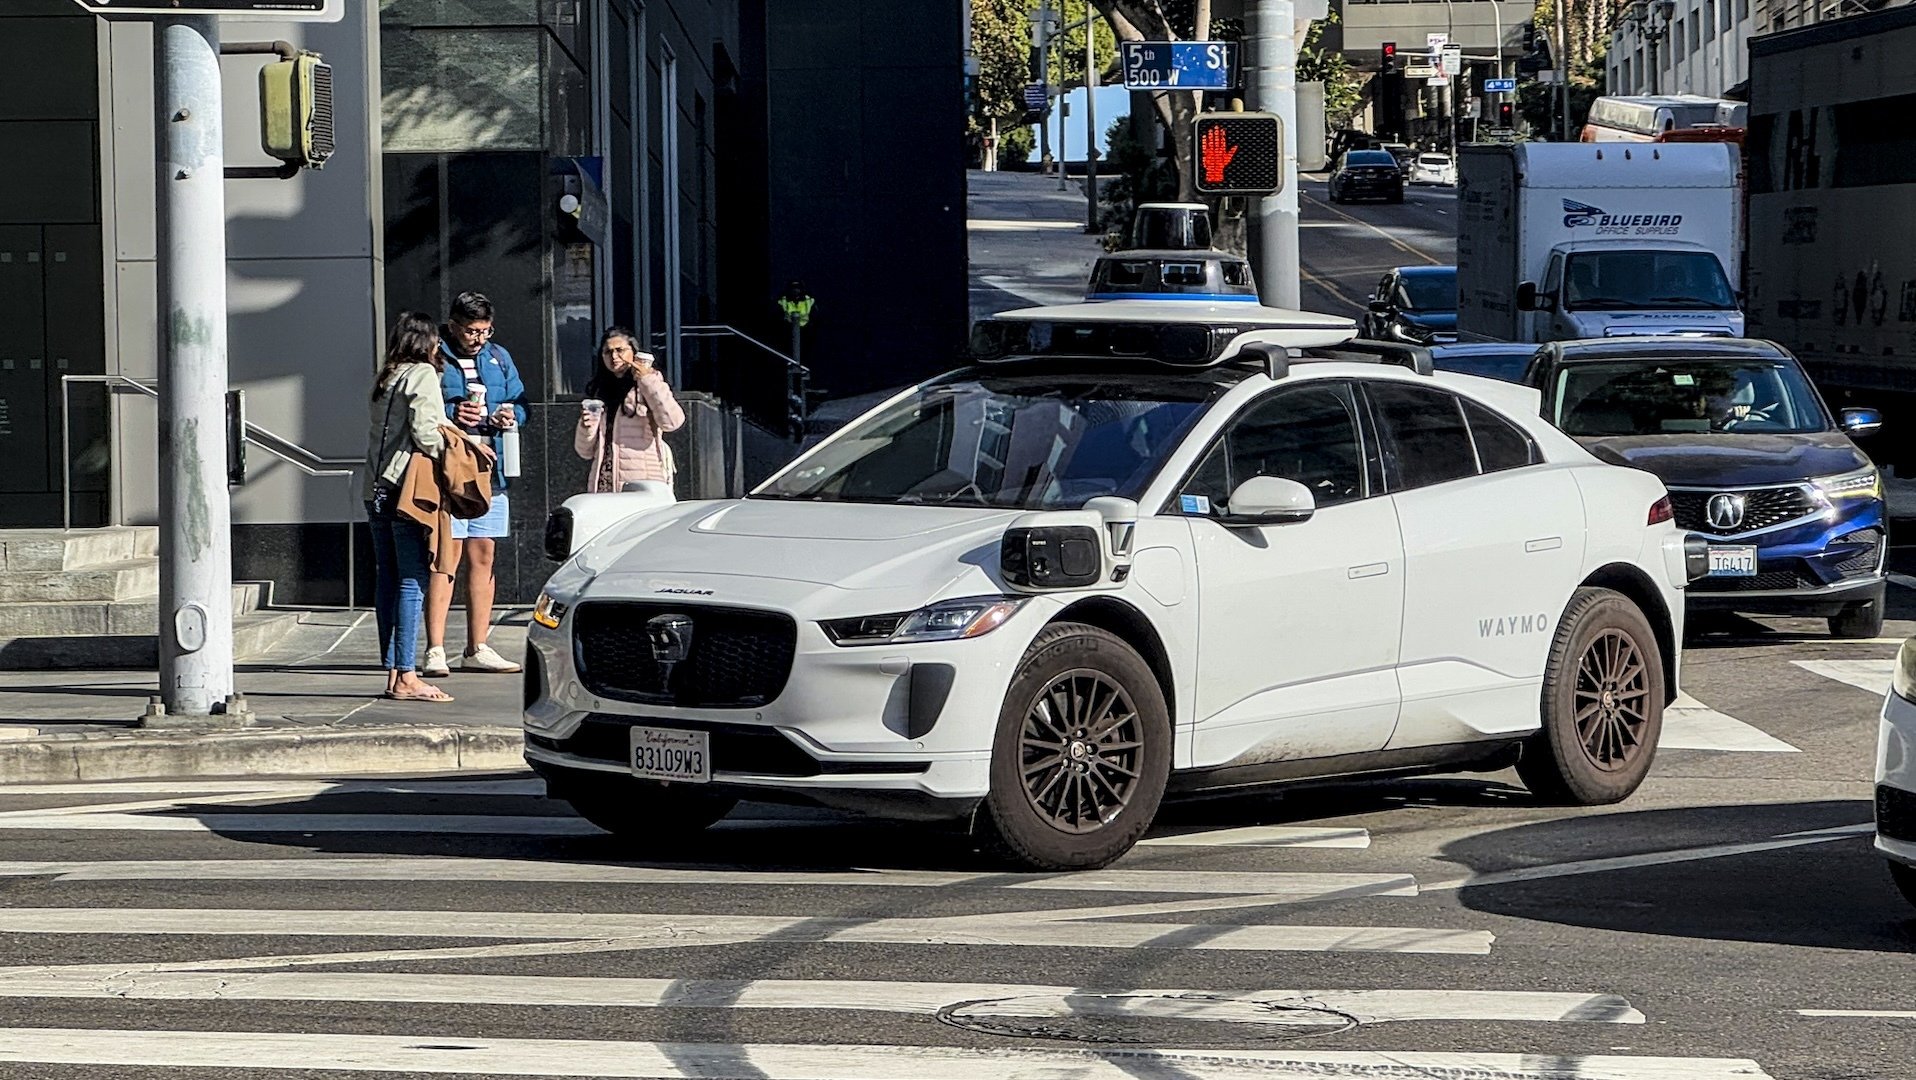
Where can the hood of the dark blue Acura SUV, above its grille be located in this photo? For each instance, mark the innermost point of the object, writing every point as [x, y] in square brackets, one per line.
[1731, 461]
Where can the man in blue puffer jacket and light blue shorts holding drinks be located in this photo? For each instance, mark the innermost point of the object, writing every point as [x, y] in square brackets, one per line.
[474, 369]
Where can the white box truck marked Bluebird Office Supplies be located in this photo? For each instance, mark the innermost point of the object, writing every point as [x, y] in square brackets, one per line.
[1566, 240]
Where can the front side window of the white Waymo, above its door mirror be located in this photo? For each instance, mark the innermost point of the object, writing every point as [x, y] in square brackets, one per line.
[1300, 434]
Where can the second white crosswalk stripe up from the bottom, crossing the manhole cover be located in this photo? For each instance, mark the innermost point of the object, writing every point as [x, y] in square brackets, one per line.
[1285, 1008]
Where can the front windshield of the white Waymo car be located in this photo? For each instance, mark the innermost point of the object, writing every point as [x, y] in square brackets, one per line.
[1009, 441]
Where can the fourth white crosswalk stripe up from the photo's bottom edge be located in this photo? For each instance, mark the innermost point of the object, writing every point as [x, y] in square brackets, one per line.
[1319, 886]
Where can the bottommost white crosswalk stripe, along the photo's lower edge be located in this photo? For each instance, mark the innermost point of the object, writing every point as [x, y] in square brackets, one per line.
[785, 1062]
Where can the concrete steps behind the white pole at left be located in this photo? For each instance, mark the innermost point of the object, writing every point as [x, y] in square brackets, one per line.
[89, 598]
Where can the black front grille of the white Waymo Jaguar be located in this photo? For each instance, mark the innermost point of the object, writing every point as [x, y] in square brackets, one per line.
[737, 660]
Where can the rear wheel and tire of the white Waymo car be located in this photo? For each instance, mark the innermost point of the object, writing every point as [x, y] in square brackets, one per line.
[1603, 667]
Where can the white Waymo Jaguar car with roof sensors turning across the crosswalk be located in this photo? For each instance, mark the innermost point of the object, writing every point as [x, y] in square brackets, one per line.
[1143, 547]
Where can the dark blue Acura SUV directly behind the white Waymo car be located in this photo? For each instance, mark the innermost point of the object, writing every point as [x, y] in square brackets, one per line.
[1754, 462]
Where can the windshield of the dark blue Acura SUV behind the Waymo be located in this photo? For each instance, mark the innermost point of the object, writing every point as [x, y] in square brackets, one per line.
[1687, 397]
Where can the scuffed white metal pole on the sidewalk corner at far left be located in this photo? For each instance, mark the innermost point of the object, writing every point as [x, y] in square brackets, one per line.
[196, 608]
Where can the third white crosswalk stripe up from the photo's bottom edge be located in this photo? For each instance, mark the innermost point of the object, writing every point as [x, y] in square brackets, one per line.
[695, 930]
